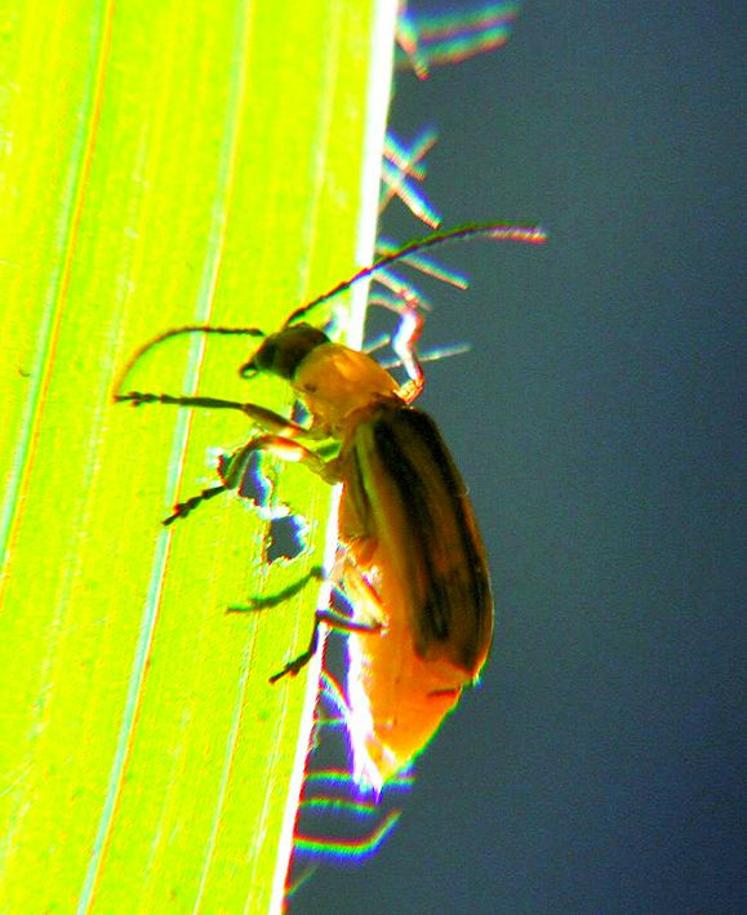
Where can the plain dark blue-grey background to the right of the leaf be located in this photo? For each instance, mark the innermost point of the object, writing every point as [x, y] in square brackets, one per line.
[599, 421]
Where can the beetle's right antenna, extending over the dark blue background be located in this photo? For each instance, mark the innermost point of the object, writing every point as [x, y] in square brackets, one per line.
[497, 231]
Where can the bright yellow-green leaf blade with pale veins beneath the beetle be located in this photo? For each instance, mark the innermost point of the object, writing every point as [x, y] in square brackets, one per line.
[162, 164]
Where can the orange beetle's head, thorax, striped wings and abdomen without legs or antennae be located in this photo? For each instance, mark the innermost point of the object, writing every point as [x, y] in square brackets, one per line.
[411, 556]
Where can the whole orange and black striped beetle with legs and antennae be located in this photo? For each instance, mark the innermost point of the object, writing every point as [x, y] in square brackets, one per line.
[410, 556]
